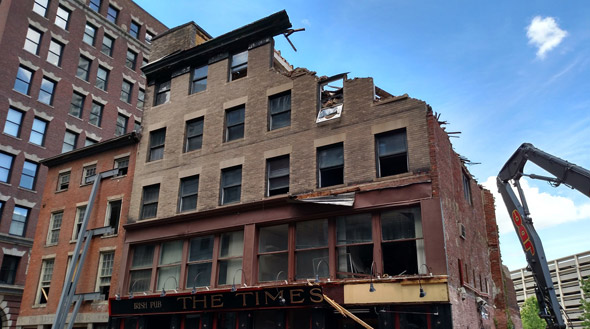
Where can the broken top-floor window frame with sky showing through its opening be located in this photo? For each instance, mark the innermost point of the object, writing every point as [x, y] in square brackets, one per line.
[331, 95]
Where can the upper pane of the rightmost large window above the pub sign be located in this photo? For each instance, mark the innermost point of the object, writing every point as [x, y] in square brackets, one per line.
[402, 223]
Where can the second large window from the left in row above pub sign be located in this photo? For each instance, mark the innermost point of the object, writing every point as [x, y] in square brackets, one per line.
[169, 265]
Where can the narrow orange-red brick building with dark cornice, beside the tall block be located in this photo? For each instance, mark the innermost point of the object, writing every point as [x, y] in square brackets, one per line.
[66, 199]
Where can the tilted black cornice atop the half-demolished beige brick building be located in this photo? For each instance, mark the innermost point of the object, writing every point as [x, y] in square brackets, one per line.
[266, 27]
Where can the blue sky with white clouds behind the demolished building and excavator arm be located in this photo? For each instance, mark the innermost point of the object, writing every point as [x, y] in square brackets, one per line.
[499, 72]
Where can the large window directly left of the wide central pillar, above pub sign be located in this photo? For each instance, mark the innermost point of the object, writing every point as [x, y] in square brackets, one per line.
[231, 249]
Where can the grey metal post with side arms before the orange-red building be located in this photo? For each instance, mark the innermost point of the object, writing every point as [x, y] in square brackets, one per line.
[68, 294]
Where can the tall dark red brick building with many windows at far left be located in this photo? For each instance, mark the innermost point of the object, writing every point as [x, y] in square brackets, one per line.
[71, 77]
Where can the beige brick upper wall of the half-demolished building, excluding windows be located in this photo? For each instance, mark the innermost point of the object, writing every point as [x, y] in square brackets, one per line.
[361, 119]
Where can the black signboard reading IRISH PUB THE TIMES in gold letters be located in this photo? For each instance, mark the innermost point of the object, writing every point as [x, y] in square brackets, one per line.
[220, 300]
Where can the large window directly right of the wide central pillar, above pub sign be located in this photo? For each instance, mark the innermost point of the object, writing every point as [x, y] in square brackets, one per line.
[273, 255]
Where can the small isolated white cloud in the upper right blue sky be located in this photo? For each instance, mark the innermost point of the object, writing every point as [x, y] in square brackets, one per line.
[544, 34]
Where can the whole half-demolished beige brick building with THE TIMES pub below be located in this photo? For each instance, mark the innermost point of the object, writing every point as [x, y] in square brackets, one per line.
[268, 197]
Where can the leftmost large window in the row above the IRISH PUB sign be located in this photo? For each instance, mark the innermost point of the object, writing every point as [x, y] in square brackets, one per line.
[141, 268]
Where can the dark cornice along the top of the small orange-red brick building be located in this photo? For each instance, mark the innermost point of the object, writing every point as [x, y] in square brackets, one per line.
[109, 144]
